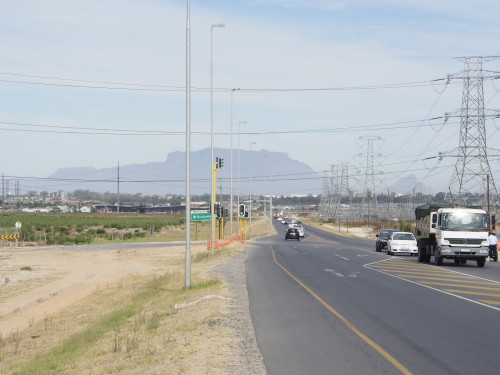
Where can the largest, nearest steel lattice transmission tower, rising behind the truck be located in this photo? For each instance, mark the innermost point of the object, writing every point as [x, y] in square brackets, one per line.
[469, 182]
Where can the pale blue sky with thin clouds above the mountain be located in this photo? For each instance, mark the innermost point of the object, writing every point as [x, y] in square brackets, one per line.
[92, 83]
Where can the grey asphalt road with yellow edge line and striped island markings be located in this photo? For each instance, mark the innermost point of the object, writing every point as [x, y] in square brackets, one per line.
[332, 305]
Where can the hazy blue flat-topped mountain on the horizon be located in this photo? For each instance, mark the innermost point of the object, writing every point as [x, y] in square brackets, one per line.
[280, 174]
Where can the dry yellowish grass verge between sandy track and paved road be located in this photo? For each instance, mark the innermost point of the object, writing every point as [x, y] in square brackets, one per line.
[133, 327]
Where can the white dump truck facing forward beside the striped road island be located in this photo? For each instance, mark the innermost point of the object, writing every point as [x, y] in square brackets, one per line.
[448, 231]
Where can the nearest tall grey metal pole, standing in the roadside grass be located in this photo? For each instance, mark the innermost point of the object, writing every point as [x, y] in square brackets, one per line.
[187, 255]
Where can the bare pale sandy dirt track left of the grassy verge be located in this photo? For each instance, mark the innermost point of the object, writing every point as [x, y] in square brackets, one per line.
[36, 284]
